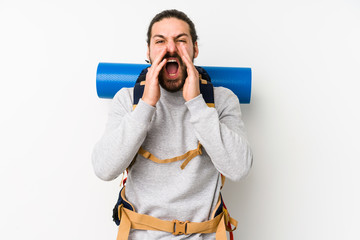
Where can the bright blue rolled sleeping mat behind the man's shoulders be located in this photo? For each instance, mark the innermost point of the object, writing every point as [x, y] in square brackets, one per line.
[111, 77]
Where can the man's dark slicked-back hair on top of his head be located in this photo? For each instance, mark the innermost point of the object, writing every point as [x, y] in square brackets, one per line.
[173, 13]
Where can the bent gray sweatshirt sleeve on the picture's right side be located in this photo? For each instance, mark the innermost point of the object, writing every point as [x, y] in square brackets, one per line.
[222, 133]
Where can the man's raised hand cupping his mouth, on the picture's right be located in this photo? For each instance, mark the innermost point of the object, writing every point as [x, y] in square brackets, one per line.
[191, 87]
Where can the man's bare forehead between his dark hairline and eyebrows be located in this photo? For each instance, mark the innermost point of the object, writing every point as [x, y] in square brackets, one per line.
[169, 27]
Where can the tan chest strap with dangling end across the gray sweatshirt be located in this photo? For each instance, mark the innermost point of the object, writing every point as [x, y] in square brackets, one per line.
[189, 155]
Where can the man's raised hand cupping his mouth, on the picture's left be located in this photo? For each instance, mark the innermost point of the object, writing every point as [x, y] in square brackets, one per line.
[151, 93]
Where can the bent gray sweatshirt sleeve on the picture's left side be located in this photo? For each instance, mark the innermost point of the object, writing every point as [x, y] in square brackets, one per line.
[125, 132]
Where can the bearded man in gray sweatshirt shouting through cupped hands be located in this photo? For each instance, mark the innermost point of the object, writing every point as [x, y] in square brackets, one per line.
[172, 119]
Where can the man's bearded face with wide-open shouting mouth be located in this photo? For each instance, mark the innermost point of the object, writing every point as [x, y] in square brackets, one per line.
[171, 33]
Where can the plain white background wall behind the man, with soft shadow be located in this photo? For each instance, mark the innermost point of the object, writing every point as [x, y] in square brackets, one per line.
[303, 120]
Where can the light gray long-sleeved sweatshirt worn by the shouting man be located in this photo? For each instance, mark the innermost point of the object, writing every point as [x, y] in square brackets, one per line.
[168, 130]
